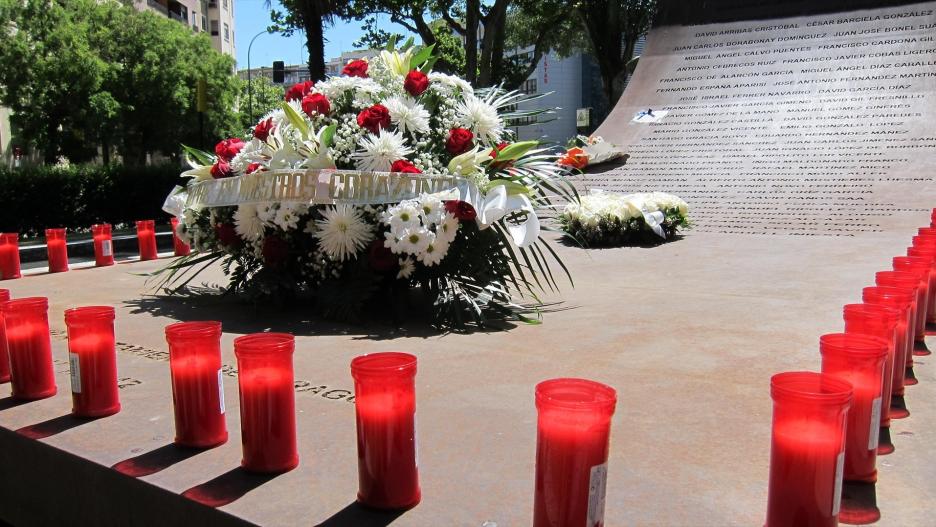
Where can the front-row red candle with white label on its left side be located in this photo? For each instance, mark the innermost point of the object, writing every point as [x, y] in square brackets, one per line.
[92, 360]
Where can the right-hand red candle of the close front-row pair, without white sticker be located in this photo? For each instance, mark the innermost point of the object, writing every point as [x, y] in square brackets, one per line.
[267, 401]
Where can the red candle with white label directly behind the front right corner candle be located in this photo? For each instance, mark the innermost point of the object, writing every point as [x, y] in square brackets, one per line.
[859, 360]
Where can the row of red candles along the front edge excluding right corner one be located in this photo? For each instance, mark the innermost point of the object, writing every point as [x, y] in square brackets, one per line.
[573, 426]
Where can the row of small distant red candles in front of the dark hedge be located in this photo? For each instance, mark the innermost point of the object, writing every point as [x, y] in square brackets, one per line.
[57, 250]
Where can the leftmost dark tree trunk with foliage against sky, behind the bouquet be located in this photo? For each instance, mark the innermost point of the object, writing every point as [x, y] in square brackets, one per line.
[310, 16]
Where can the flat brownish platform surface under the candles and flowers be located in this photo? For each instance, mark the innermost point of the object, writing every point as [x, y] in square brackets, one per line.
[689, 333]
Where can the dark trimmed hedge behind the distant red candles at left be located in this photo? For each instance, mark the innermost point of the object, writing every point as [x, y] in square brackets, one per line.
[78, 196]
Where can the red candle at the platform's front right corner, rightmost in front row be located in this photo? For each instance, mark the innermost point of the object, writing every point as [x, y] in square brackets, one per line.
[807, 451]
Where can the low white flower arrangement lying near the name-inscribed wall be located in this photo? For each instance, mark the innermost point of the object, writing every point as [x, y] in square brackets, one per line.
[607, 219]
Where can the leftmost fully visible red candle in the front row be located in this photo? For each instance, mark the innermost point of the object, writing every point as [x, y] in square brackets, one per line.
[30, 347]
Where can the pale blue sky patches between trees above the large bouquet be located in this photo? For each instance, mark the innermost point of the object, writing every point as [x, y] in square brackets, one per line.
[250, 18]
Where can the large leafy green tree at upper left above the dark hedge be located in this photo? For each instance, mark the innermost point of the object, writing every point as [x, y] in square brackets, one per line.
[83, 75]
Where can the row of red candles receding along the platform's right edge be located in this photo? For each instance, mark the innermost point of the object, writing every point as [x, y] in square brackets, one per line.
[829, 427]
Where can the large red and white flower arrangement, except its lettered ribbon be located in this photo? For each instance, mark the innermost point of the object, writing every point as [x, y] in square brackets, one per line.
[470, 251]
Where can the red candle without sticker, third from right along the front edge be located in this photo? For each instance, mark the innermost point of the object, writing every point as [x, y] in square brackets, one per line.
[385, 406]
